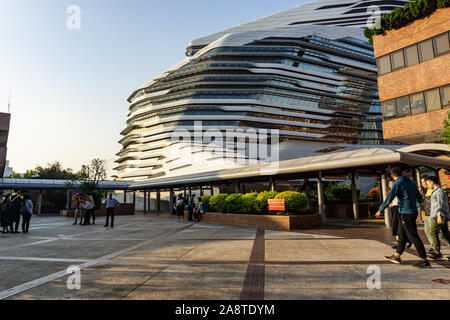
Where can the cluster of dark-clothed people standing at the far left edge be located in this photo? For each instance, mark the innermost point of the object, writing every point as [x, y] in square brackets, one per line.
[13, 206]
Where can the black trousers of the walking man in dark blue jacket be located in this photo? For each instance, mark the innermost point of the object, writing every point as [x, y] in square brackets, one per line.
[408, 230]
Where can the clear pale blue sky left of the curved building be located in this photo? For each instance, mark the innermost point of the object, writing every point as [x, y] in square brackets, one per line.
[69, 87]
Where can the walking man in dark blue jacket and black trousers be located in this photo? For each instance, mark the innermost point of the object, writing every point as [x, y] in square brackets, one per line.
[408, 198]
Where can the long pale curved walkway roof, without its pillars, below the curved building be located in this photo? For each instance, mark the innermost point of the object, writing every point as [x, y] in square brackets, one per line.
[367, 160]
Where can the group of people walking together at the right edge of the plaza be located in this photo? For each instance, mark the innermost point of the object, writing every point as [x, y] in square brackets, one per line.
[404, 199]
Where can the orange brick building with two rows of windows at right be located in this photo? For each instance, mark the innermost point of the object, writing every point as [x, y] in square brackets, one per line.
[414, 79]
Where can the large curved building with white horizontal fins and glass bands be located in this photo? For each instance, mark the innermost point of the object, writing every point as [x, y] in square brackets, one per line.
[307, 74]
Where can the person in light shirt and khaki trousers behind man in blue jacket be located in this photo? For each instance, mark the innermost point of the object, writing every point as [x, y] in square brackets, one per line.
[439, 216]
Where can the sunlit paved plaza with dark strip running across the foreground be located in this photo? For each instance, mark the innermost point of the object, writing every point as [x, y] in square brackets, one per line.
[148, 257]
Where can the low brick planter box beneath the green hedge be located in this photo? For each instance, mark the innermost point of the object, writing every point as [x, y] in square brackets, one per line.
[282, 223]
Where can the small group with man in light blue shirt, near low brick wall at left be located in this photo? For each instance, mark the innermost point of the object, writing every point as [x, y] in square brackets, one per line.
[85, 209]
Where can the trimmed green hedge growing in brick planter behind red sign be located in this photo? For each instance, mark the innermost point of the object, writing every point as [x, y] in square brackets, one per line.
[255, 203]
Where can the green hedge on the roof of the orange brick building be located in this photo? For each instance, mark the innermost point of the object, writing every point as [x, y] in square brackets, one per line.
[402, 16]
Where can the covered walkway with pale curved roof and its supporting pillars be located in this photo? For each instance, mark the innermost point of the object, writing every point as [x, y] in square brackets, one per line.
[370, 162]
